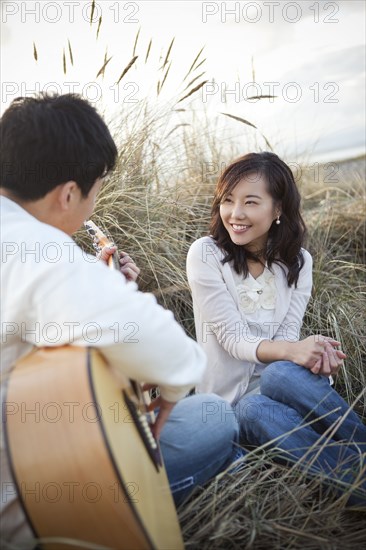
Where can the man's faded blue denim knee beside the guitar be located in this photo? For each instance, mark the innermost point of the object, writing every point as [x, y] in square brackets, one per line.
[198, 441]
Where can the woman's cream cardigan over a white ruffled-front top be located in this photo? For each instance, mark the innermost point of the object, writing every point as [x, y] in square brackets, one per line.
[233, 315]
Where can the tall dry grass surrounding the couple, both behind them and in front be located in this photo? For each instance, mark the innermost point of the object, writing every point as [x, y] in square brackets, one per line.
[155, 210]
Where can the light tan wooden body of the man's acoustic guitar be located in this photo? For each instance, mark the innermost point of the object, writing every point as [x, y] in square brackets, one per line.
[85, 468]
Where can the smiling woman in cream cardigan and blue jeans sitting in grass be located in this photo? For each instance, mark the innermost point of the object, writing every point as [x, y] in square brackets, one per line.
[251, 281]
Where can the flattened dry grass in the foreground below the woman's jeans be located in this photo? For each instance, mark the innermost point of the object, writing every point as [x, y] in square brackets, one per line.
[269, 506]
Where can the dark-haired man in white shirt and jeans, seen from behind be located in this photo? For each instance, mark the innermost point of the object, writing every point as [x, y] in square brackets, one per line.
[55, 153]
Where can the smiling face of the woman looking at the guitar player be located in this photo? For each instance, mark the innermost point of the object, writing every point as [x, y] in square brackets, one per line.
[248, 212]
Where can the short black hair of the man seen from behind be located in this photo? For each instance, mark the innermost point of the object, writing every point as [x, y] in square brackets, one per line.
[51, 139]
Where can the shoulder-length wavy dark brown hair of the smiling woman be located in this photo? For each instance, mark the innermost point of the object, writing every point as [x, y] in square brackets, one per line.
[284, 240]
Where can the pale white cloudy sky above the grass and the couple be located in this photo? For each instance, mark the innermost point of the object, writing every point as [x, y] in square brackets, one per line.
[311, 54]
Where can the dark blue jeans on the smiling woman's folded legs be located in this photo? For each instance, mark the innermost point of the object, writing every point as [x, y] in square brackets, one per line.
[326, 436]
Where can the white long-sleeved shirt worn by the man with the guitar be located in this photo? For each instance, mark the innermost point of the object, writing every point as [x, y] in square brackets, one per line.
[53, 294]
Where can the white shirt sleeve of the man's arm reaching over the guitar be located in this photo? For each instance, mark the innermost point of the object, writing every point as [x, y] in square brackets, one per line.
[89, 305]
